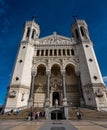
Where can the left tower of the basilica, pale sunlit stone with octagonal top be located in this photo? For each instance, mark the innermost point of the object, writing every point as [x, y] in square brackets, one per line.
[19, 87]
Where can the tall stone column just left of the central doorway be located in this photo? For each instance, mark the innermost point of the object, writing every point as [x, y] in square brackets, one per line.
[47, 102]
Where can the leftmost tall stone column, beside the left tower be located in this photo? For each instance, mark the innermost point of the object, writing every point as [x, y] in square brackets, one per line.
[30, 102]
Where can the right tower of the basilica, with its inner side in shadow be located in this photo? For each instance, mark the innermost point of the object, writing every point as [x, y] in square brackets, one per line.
[92, 85]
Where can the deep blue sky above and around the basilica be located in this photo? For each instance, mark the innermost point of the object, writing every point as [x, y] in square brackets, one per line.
[52, 15]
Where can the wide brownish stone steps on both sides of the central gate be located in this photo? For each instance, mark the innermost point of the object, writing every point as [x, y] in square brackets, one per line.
[86, 114]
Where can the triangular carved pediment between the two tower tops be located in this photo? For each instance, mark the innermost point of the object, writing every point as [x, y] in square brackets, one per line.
[55, 39]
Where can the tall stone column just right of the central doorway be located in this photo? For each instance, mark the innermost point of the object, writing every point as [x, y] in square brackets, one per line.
[65, 104]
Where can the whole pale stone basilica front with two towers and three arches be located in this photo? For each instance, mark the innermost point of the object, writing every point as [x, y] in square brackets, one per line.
[55, 72]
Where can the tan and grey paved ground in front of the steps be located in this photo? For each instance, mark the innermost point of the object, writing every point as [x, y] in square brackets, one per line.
[52, 125]
